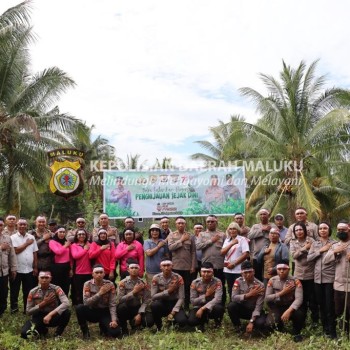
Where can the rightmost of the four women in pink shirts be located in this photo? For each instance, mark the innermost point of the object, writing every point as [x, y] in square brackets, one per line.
[129, 248]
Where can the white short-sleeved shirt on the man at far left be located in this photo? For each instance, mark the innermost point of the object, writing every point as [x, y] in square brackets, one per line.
[26, 258]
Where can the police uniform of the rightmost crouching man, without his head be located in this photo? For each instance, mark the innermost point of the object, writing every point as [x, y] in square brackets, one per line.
[278, 305]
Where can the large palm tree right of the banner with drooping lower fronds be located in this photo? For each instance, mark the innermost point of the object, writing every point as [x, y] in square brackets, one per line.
[301, 123]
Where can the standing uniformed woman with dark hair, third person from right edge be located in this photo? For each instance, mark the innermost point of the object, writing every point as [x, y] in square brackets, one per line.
[304, 269]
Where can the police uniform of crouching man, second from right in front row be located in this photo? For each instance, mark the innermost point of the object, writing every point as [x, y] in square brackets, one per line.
[247, 309]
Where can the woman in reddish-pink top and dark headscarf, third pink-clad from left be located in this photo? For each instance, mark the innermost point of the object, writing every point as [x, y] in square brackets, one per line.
[103, 252]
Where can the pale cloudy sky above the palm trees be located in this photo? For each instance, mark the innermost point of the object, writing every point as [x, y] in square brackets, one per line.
[154, 75]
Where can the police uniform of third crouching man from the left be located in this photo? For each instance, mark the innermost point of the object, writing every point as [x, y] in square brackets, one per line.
[129, 305]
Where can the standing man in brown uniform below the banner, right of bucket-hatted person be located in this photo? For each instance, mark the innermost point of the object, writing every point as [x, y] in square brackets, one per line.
[183, 250]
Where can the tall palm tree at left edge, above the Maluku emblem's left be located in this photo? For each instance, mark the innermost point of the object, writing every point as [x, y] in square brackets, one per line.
[30, 123]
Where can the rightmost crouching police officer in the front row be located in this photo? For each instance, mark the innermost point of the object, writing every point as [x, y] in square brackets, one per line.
[284, 297]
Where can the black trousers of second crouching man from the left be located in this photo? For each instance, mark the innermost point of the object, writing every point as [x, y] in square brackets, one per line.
[101, 316]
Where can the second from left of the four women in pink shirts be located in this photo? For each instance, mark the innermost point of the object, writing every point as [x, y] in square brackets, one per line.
[81, 264]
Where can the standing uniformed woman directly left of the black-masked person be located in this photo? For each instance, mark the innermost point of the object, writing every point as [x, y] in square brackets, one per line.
[324, 278]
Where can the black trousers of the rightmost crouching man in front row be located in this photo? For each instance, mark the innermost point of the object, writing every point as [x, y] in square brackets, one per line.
[274, 321]
